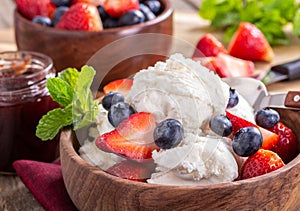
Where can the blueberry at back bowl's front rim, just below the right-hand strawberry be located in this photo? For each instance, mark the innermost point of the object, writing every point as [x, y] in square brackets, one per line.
[131, 17]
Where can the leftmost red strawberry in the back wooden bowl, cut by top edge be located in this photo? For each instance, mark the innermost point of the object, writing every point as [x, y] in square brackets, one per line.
[32, 8]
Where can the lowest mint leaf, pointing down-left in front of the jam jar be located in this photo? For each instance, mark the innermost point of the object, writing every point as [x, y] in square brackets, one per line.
[50, 124]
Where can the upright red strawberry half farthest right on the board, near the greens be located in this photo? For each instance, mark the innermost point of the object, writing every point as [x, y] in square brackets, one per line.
[249, 43]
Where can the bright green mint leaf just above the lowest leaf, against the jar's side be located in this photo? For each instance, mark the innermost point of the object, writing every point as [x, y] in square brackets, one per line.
[60, 91]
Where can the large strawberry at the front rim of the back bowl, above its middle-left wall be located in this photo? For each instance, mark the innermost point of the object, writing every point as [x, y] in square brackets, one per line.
[81, 16]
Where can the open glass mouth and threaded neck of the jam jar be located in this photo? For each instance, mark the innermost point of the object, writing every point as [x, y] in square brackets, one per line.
[21, 69]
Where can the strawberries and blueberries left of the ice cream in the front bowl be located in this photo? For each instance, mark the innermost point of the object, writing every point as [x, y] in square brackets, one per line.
[136, 134]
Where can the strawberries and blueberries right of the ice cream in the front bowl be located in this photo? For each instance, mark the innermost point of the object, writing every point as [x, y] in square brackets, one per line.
[268, 144]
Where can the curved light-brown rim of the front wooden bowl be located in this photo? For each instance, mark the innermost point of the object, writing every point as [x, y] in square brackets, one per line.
[66, 146]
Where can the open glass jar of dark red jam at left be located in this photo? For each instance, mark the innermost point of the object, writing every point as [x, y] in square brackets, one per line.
[24, 99]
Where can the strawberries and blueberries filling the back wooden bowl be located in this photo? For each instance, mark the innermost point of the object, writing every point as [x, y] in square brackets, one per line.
[89, 15]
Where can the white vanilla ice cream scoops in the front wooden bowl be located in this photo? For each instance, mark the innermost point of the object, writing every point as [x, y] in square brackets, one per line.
[184, 90]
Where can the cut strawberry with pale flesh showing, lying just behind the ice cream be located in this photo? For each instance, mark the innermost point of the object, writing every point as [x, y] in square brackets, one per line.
[228, 66]
